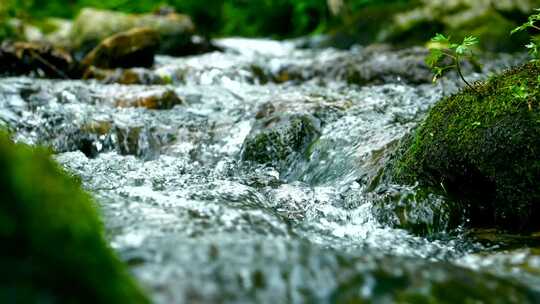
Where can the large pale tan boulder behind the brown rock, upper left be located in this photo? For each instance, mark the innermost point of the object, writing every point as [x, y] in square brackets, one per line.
[92, 26]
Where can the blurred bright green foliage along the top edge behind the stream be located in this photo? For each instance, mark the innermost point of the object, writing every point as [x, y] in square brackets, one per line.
[276, 18]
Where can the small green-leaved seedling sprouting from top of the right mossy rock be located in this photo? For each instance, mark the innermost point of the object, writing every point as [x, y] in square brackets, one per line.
[443, 48]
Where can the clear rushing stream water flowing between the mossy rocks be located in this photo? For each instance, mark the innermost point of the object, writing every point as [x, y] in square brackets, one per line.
[197, 224]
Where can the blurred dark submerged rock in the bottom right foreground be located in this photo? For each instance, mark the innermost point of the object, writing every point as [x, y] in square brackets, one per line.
[407, 281]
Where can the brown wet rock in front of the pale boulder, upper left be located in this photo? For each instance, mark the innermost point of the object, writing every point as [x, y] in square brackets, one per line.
[133, 48]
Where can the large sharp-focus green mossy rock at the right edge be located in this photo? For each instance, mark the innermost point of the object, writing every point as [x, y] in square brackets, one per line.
[482, 148]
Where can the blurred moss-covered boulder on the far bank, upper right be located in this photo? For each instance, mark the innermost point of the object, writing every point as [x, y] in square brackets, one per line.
[491, 21]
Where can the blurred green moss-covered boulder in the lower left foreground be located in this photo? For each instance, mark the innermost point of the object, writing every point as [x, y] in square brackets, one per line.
[53, 248]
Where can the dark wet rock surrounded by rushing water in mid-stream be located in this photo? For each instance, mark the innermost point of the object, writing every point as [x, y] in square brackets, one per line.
[276, 138]
